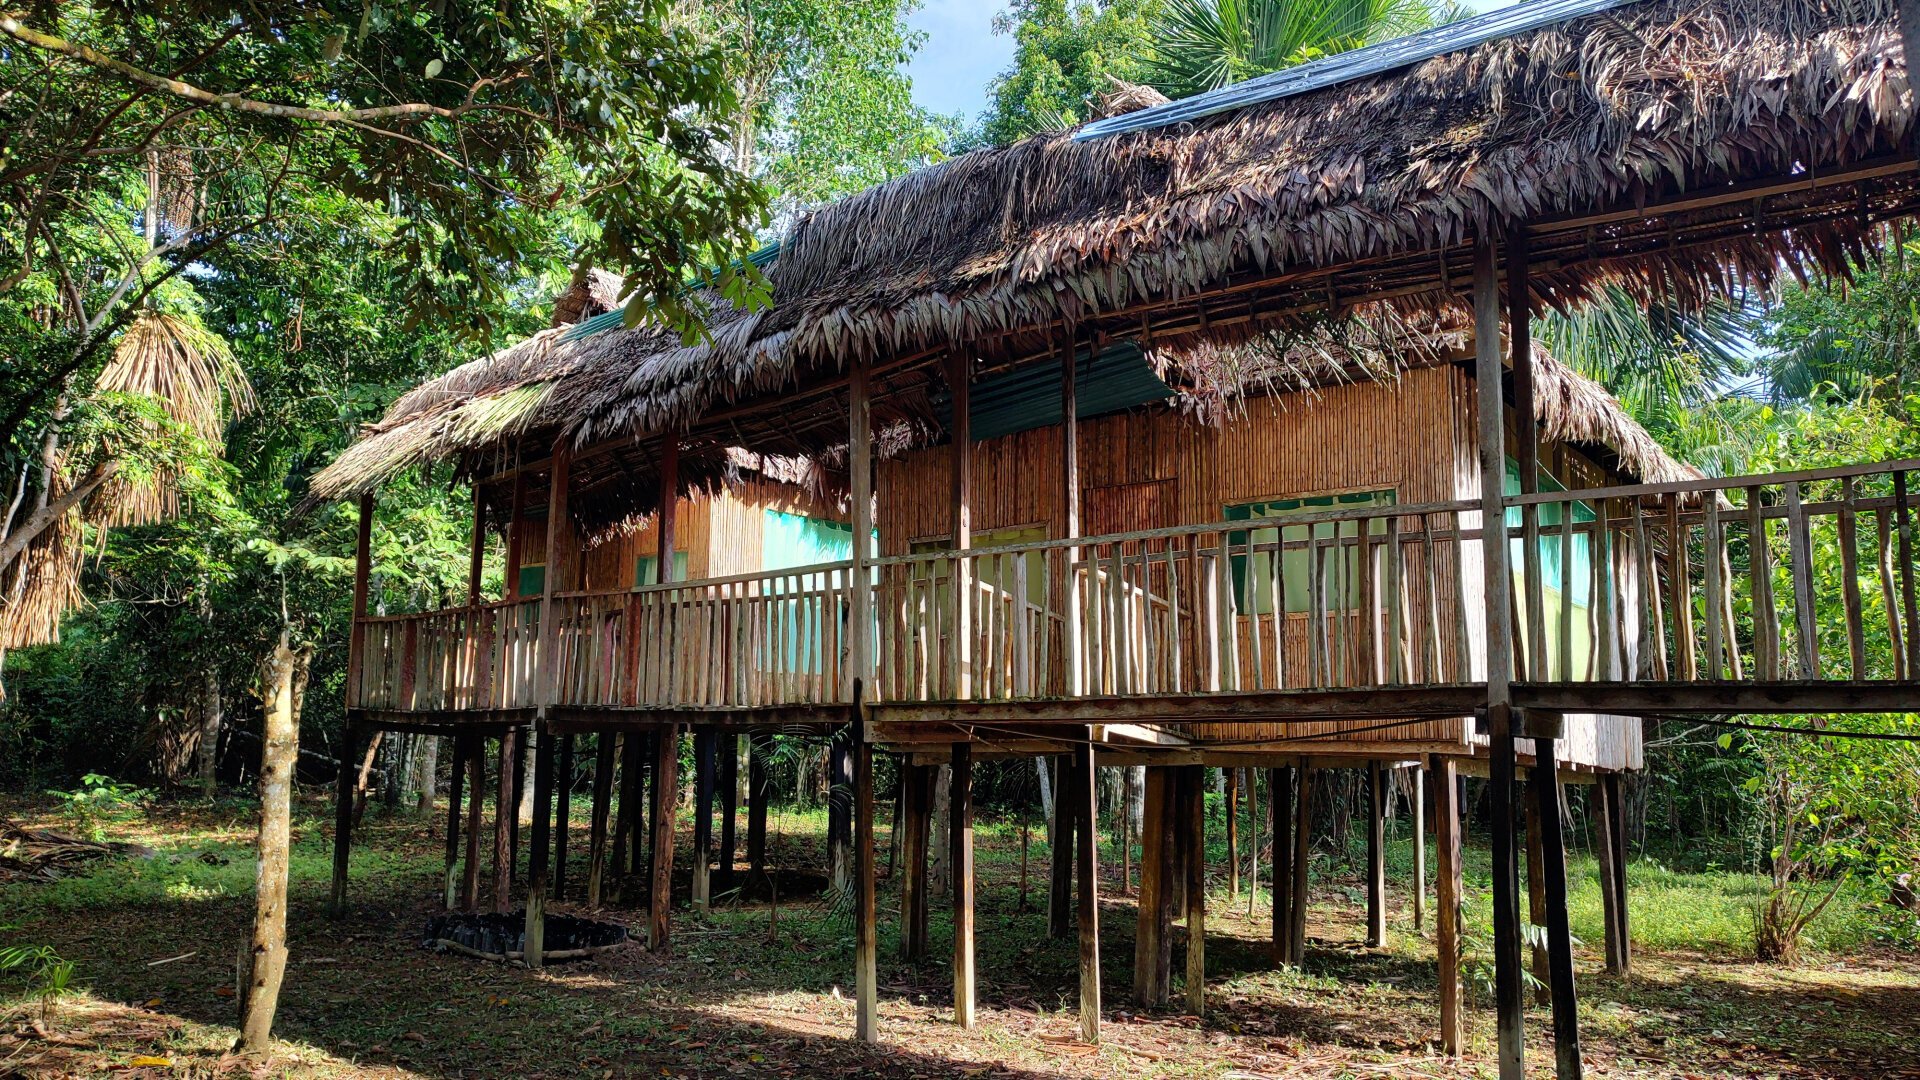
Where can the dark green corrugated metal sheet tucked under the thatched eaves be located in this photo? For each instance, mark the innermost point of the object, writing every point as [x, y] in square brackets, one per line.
[1030, 397]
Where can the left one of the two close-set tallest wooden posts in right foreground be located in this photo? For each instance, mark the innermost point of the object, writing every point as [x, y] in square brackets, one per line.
[1499, 585]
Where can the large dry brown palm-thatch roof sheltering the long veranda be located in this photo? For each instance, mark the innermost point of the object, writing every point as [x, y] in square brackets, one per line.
[1600, 135]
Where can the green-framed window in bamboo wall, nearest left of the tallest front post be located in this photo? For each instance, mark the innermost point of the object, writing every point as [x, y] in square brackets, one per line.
[1295, 562]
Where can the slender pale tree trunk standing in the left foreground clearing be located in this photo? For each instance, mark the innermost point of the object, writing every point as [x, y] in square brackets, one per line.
[264, 962]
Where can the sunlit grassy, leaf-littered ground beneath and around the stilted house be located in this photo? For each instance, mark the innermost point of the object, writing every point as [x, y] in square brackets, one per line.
[740, 996]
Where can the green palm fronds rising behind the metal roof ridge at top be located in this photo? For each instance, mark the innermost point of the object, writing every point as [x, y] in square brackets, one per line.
[1205, 45]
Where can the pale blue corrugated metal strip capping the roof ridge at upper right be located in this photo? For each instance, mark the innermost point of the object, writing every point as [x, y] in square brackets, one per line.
[1356, 64]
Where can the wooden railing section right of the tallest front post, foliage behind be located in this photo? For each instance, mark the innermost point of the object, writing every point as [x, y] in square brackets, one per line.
[1748, 579]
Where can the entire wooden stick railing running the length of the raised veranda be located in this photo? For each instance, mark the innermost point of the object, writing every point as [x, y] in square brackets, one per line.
[1760, 579]
